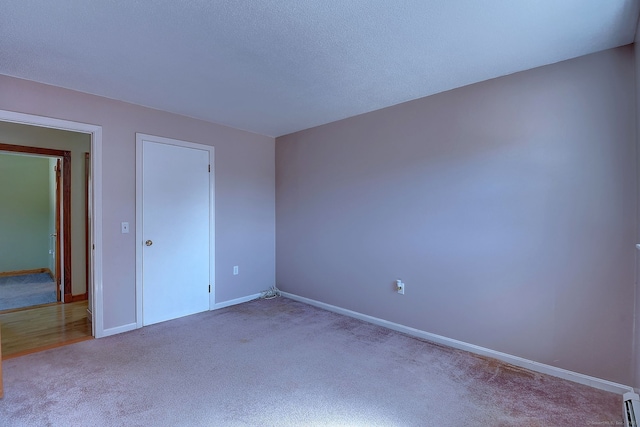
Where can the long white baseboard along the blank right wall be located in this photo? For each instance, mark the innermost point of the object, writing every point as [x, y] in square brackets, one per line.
[439, 339]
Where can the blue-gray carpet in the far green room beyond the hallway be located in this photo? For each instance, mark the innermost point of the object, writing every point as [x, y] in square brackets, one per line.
[26, 290]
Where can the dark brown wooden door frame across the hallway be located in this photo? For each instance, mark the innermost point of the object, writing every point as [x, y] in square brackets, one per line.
[65, 239]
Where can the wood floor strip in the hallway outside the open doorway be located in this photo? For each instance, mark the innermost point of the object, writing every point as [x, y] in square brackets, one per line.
[40, 328]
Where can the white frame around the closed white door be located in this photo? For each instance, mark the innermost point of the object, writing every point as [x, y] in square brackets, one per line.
[140, 138]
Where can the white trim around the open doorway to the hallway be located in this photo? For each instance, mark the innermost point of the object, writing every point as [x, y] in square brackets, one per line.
[96, 206]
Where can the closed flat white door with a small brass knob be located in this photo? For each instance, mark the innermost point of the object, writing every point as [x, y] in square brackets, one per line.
[176, 221]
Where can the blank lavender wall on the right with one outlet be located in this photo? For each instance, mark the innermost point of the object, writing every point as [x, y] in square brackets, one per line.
[507, 207]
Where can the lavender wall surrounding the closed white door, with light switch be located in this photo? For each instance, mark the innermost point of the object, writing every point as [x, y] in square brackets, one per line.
[245, 195]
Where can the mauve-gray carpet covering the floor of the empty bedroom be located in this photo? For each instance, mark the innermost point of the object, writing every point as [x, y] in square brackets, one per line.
[284, 363]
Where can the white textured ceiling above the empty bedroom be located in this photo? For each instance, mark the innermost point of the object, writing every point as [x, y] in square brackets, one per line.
[278, 66]
